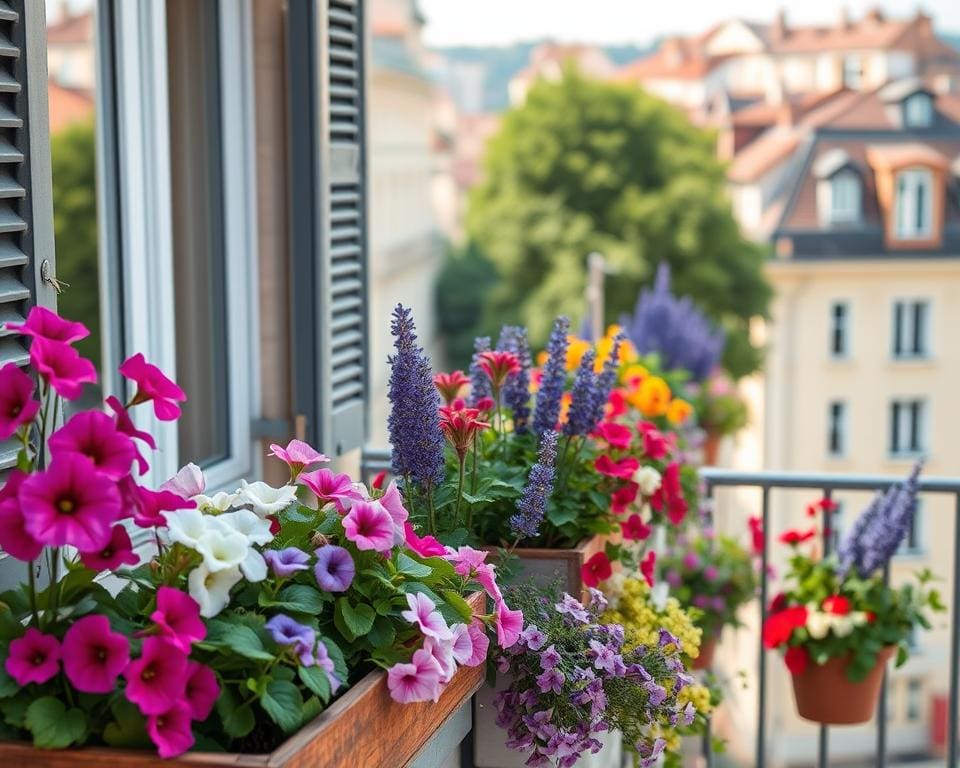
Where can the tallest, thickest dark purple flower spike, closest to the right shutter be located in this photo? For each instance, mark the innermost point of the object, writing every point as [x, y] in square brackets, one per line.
[414, 421]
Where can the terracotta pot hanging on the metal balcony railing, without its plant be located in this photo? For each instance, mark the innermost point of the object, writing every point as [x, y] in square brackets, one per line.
[825, 694]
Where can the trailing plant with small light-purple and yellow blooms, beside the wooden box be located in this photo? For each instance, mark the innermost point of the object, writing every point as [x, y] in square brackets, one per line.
[574, 678]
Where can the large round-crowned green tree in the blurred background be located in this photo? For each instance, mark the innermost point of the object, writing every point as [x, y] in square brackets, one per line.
[588, 166]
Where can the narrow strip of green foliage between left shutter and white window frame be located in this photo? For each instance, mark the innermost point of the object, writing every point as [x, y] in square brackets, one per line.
[73, 157]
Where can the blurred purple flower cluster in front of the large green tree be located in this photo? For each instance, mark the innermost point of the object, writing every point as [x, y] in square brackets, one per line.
[675, 329]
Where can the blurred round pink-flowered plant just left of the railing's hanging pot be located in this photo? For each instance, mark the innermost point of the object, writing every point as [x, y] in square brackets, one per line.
[712, 573]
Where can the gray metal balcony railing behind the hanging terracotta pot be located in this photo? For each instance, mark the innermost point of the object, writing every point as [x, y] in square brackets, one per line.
[827, 484]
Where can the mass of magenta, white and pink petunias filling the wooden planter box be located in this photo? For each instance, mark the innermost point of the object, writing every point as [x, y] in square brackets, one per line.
[239, 617]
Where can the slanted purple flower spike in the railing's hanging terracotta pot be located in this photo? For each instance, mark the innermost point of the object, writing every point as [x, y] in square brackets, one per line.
[881, 528]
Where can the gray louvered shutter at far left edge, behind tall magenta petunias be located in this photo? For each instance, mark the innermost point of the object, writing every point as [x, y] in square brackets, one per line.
[26, 212]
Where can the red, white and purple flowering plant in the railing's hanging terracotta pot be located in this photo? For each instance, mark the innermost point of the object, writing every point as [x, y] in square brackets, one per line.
[839, 606]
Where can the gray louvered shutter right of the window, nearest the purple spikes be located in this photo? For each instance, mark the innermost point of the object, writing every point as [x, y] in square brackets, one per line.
[329, 237]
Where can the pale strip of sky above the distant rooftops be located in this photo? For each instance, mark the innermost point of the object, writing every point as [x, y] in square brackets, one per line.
[498, 22]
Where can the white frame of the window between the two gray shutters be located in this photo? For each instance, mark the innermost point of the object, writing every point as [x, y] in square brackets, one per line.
[147, 231]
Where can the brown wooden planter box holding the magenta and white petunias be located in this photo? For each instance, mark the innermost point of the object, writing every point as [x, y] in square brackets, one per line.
[364, 728]
